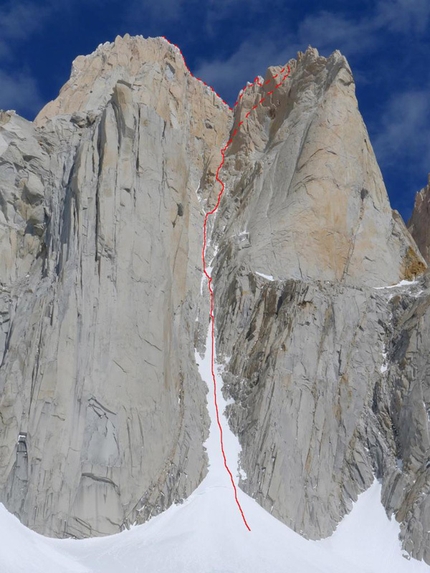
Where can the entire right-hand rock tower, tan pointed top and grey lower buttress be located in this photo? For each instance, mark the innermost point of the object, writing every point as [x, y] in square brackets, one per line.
[305, 239]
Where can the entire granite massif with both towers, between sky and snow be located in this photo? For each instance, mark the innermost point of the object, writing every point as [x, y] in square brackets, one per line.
[101, 307]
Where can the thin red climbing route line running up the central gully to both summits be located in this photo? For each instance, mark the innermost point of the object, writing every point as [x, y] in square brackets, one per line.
[207, 215]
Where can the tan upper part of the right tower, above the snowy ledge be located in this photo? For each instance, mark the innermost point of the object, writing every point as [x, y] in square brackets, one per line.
[305, 185]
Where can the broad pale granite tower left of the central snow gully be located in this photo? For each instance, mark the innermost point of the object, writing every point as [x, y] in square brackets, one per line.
[102, 210]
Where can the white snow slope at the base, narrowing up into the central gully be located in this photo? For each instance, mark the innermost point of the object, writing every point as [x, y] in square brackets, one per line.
[206, 534]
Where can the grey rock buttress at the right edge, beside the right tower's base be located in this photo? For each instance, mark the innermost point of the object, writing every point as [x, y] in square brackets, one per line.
[401, 408]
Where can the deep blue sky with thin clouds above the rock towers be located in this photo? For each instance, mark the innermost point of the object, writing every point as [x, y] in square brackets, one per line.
[228, 42]
